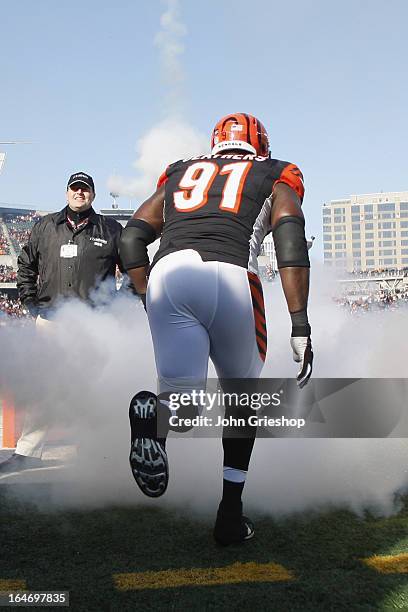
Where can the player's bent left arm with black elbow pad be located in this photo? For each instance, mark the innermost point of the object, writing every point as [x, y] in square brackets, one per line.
[141, 230]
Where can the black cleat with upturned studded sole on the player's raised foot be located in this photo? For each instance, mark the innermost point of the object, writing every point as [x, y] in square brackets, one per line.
[148, 458]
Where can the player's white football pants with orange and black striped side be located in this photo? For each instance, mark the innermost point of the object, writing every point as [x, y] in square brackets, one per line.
[204, 309]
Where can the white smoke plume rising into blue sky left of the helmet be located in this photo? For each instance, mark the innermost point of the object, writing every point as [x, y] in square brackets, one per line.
[173, 137]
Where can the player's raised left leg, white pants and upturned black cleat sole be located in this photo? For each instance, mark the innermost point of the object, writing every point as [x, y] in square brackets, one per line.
[181, 296]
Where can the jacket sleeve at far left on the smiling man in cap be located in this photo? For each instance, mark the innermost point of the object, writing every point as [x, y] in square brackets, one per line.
[27, 272]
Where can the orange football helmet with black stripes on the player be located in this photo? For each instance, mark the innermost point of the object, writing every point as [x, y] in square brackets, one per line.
[240, 131]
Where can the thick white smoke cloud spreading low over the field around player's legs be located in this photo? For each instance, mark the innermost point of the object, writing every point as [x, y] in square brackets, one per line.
[100, 359]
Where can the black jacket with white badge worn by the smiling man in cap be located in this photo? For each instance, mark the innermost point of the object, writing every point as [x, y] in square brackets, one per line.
[44, 276]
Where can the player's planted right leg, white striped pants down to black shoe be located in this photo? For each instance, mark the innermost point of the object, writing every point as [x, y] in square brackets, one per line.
[238, 352]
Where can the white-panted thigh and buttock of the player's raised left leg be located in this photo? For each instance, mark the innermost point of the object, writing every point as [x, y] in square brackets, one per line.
[181, 300]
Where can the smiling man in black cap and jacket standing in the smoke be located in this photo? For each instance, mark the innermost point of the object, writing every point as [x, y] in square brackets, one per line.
[68, 255]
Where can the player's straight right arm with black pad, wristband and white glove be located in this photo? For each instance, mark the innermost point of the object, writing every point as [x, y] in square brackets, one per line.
[288, 224]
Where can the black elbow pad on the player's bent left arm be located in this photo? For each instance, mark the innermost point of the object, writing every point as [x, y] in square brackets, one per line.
[136, 236]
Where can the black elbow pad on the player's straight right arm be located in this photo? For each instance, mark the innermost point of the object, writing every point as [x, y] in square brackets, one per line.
[290, 243]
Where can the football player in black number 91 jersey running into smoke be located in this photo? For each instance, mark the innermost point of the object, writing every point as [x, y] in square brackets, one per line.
[202, 292]
